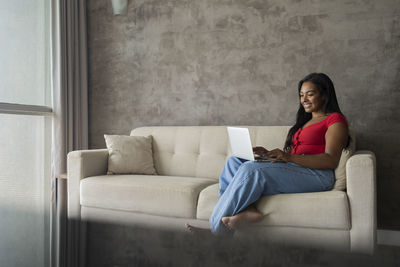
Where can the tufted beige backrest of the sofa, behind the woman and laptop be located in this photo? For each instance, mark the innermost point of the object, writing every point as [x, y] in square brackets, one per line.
[201, 151]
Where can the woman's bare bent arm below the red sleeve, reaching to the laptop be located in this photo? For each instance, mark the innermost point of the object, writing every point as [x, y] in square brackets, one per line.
[335, 140]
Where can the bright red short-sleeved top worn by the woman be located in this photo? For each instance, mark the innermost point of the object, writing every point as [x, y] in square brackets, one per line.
[311, 140]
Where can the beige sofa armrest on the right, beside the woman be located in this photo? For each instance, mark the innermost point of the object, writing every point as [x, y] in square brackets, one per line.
[361, 191]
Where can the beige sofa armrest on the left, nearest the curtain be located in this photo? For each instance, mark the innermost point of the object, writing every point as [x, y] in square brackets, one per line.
[81, 164]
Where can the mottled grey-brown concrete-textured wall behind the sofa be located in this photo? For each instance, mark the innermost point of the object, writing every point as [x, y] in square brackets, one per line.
[227, 62]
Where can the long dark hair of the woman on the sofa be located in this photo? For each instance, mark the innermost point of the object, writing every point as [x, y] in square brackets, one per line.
[326, 89]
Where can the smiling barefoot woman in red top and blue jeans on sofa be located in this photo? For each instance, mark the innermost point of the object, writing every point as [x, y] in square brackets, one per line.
[306, 164]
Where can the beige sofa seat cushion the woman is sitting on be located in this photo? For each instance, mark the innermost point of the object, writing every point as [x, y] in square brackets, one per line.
[328, 209]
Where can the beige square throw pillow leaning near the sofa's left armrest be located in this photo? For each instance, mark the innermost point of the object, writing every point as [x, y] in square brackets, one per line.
[130, 154]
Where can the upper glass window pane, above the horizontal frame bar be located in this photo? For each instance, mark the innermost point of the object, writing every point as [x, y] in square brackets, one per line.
[24, 50]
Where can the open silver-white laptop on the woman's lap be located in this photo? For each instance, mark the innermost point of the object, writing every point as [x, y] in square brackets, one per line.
[241, 147]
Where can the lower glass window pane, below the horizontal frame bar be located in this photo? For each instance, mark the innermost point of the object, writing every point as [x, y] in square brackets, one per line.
[24, 190]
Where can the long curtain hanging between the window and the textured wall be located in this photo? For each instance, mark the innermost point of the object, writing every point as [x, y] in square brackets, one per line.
[70, 122]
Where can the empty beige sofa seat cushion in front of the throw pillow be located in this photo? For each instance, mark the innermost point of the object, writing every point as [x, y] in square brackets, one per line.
[170, 196]
